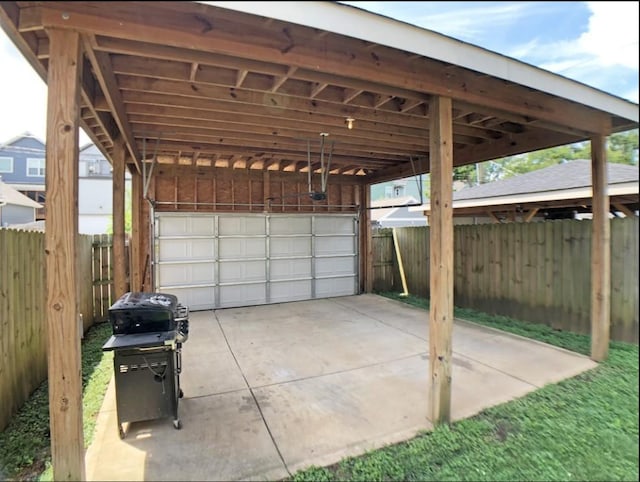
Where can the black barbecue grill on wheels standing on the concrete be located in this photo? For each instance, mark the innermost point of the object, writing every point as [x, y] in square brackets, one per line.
[148, 332]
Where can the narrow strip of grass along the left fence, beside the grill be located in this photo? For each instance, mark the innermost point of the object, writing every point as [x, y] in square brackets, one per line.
[25, 452]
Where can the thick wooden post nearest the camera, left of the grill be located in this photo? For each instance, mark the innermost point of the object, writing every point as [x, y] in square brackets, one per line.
[63, 329]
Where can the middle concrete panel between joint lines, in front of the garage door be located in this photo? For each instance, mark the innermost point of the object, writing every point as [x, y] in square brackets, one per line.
[293, 346]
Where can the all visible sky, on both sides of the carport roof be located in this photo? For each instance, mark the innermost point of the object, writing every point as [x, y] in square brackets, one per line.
[595, 43]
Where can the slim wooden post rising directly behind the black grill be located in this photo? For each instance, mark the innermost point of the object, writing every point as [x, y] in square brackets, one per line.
[119, 267]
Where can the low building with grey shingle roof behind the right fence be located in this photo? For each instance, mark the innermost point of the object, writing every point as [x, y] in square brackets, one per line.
[561, 191]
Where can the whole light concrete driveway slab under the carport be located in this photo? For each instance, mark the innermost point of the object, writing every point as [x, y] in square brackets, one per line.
[269, 390]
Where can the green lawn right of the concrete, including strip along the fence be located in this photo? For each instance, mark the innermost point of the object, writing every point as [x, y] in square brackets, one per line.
[584, 428]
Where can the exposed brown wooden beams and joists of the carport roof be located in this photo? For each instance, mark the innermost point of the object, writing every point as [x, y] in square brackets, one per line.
[214, 85]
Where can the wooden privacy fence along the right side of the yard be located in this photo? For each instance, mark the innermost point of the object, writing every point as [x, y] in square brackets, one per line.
[538, 272]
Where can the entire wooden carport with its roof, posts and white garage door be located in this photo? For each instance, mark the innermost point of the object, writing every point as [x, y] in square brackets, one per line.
[234, 122]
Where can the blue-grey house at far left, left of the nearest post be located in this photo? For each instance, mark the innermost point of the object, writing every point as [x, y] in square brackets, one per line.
[22, 166]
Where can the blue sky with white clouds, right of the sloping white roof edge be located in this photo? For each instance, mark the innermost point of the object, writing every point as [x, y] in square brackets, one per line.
[595, 43]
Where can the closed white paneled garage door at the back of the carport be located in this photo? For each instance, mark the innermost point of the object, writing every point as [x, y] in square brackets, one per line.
[229, 260]
